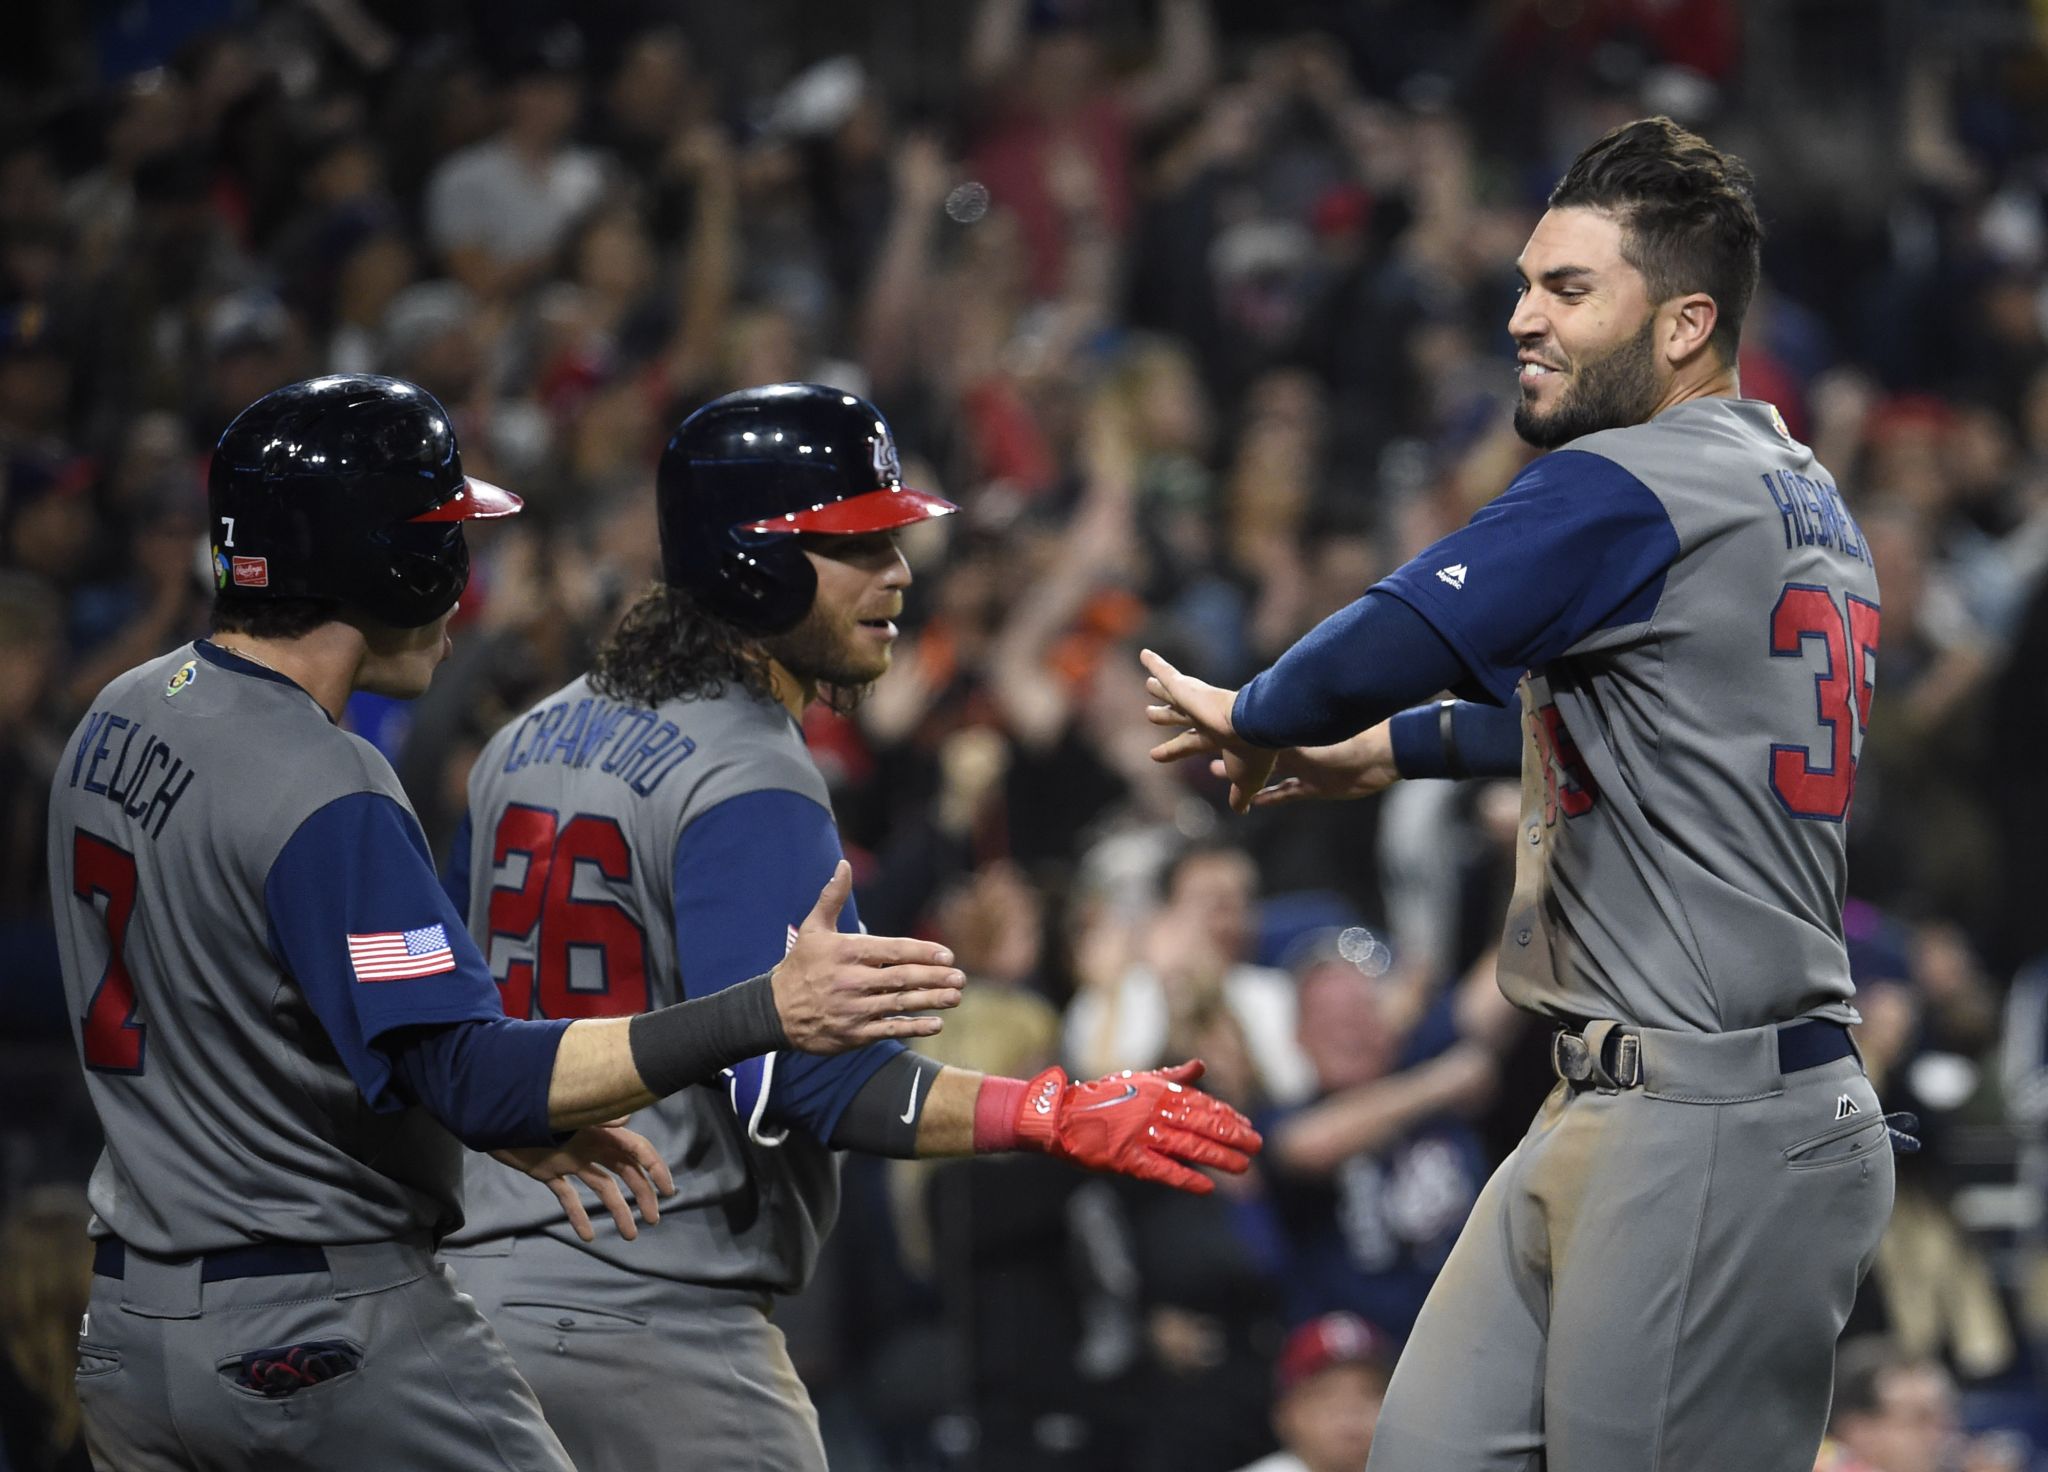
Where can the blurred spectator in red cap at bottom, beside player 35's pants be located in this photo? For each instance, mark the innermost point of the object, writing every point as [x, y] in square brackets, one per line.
[1328, 1391]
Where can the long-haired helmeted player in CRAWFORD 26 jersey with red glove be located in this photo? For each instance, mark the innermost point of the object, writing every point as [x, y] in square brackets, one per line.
[669, 797]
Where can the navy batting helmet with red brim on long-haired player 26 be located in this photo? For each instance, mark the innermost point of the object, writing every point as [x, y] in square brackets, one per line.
[749, 474]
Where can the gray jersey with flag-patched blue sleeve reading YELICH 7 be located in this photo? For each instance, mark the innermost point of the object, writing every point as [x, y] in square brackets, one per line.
[245, 908]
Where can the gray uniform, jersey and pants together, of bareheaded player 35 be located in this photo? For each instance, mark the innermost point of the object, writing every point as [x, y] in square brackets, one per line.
[1658, 1276]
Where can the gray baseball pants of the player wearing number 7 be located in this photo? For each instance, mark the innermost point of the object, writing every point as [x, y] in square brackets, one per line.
[159, 1362]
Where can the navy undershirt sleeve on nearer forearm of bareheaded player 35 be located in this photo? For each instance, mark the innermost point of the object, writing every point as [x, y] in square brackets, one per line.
[1351, 673]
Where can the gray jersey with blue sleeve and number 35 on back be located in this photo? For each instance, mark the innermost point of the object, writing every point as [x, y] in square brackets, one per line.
[1693, 621]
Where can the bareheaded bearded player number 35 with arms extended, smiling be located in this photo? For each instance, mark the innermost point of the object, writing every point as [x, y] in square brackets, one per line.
[1691, 619]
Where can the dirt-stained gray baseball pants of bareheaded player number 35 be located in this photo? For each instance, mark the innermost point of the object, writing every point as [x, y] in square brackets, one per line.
[1656, 1279]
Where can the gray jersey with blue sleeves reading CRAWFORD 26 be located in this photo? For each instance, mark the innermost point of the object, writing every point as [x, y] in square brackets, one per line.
[624, 859]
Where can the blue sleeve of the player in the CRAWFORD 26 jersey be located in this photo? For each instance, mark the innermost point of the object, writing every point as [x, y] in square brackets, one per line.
[746, 873]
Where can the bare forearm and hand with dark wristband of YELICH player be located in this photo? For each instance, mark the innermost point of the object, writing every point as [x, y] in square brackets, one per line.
[833, 992]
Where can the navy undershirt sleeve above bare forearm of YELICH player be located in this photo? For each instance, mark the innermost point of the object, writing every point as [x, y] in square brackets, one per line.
[486, 1082]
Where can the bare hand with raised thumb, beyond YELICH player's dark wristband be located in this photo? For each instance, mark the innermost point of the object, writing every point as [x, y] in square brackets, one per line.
[839, 992]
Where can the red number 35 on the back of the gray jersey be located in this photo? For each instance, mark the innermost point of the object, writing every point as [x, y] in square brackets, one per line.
[1848, 638]
